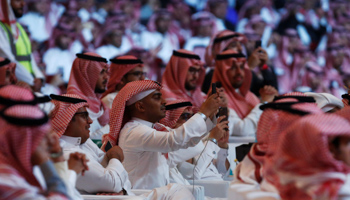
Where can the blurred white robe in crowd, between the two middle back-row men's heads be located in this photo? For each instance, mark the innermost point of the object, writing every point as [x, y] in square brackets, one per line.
[168, 43]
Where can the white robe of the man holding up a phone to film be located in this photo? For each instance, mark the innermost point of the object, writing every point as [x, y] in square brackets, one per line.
[143, 147]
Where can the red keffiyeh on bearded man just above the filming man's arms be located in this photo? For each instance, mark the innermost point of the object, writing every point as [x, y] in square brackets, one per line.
[174, 79]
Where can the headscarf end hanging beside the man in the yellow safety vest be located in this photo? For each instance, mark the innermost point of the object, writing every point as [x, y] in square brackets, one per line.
[8, 17]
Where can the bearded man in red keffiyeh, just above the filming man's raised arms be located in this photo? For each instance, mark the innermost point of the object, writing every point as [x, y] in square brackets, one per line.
[183, 78]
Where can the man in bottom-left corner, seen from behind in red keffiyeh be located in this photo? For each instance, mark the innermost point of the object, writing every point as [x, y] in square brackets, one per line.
[23, 144]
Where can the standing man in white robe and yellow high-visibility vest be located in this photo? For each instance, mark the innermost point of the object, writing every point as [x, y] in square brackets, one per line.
[15, 44]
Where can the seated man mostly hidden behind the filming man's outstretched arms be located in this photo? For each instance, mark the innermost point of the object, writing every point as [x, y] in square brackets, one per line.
[205, 164]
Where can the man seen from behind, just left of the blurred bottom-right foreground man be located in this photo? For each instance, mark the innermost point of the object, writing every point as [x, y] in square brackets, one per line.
[278, 115]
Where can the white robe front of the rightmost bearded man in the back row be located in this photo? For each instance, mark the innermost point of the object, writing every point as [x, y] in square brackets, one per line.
[246, 126]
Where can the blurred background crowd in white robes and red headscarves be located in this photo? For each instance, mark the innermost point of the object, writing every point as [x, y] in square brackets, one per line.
[306, 41]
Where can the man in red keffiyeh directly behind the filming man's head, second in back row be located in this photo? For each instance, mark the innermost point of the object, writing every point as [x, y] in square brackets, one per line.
[123, 70]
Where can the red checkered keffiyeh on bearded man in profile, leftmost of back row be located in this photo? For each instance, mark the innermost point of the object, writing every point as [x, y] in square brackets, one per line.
[82, 81]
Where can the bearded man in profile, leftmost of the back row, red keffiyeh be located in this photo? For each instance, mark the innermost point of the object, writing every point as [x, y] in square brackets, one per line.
[88, 79]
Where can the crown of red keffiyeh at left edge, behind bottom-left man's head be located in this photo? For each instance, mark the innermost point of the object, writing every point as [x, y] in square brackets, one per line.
[12, 94]
